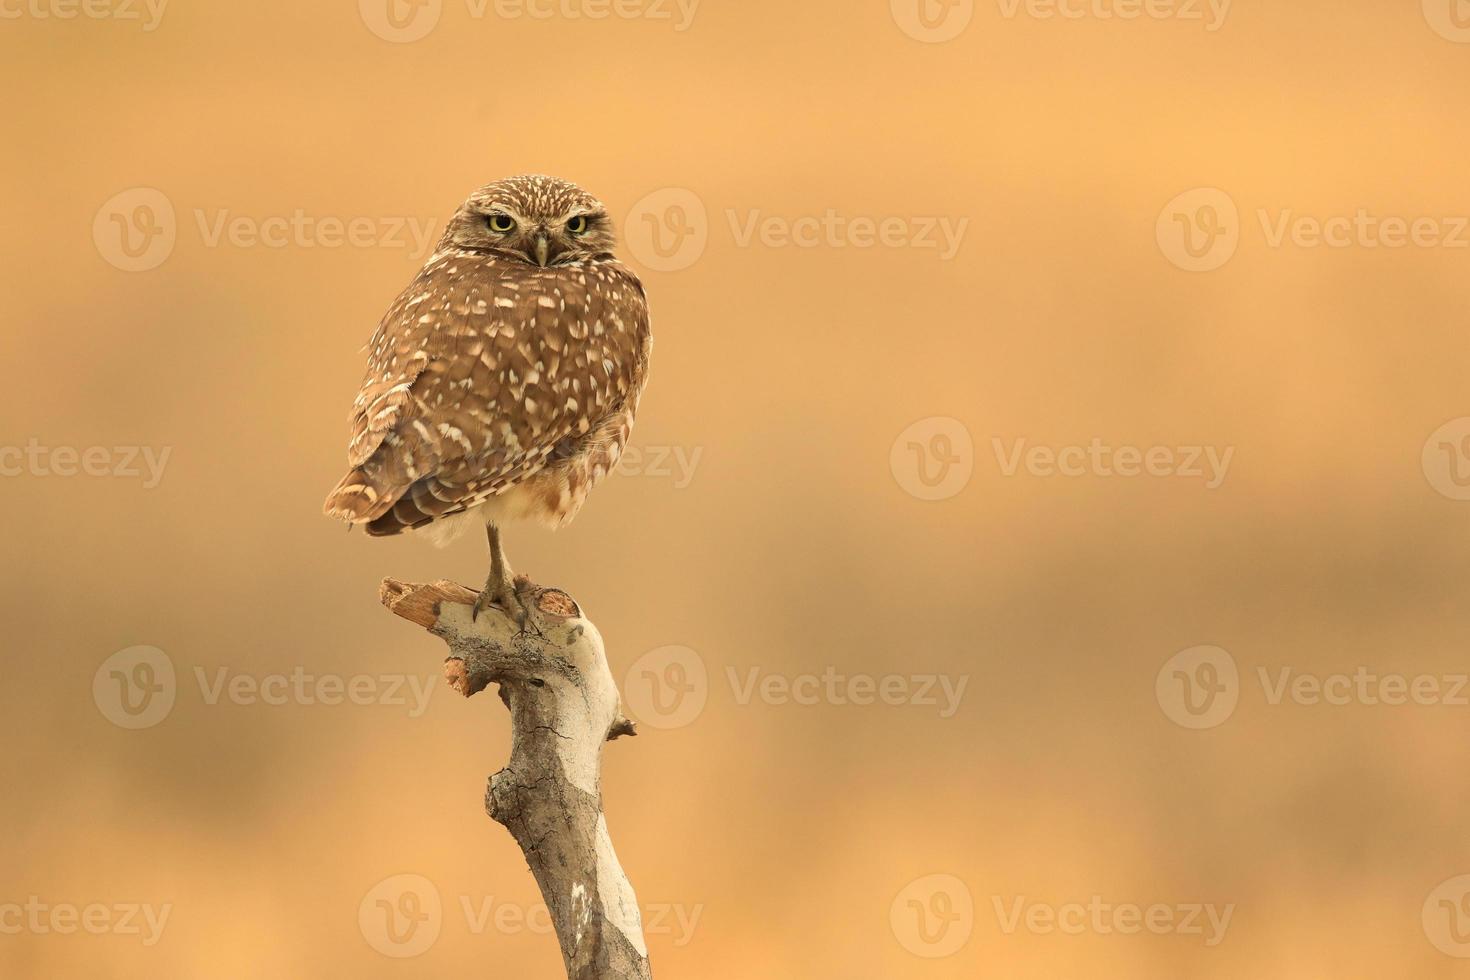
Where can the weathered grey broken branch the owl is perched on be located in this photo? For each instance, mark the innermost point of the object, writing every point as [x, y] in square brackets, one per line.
[564, 705]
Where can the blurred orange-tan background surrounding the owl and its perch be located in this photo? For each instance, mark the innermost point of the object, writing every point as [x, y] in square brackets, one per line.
[839, 415]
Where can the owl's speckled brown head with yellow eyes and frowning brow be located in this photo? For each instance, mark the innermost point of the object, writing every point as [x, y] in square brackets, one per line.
[543, 221]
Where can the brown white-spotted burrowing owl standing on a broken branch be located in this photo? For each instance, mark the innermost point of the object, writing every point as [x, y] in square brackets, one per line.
[503, 383]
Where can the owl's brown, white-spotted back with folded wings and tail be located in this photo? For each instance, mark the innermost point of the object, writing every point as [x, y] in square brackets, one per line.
[481, 372]
